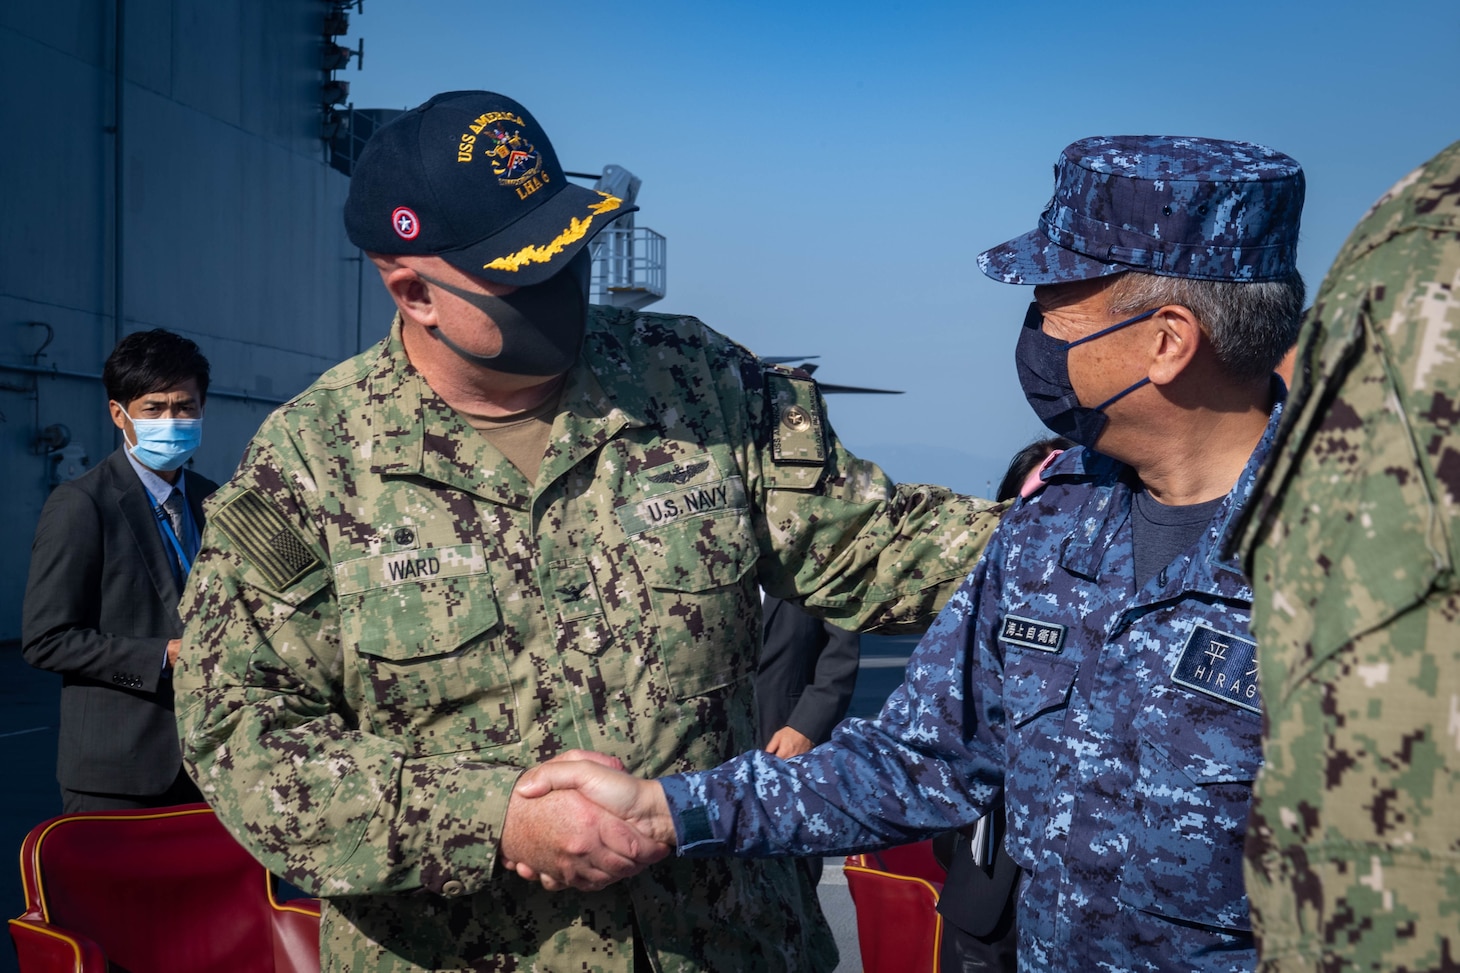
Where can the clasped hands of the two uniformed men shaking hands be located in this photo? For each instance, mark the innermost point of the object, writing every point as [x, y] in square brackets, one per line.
[579, 822]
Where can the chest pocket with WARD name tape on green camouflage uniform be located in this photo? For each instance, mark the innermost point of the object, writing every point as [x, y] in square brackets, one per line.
[426, 648]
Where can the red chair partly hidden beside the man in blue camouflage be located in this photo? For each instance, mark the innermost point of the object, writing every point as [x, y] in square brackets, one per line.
[896, 893]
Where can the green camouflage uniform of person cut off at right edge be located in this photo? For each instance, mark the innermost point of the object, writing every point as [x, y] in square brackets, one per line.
[1354, 839]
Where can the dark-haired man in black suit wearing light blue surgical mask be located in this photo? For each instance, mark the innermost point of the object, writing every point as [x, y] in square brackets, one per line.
[112, 553]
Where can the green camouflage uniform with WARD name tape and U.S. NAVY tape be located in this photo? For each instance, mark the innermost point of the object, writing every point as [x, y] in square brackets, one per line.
[389, 623]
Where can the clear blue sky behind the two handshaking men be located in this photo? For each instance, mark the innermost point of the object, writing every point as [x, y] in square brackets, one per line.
[826, 173]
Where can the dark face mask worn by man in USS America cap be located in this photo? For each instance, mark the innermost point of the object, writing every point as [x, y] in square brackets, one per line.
[542, 325]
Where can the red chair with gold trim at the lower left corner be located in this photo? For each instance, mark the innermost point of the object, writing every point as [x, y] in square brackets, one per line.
[155, 892]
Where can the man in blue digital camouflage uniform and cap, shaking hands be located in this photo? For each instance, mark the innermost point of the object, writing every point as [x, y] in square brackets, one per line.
[1096, 673]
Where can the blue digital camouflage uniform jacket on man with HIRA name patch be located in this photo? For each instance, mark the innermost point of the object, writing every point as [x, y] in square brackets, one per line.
[1123, 725]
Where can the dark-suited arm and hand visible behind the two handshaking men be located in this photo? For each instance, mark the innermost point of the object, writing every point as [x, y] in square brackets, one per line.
[805, 679]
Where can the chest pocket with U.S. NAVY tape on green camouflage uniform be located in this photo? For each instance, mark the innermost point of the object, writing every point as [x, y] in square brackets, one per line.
[696, 565]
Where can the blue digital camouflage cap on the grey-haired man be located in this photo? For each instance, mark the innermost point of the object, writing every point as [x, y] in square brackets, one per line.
[1169, 205]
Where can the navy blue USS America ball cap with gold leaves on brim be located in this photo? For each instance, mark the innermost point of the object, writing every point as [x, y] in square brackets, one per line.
[471, 178]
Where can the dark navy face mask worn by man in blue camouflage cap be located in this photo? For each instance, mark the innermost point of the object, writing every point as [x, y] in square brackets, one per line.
[1045, 375]
